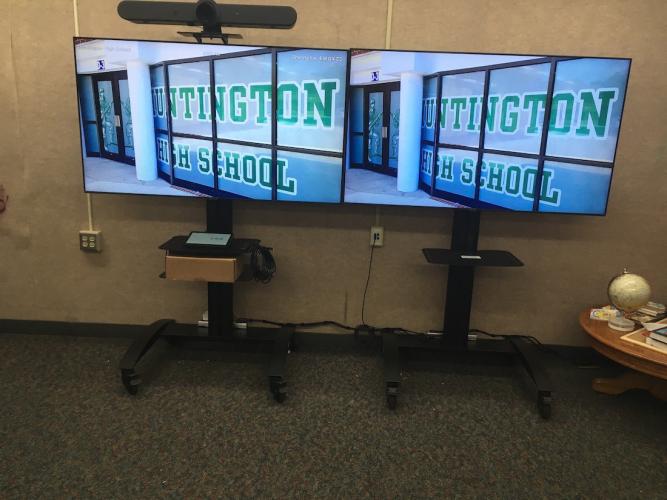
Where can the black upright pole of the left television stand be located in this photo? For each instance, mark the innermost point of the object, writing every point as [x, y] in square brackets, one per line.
[219, 219]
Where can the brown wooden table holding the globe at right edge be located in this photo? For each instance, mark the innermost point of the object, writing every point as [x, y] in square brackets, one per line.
[648, 368]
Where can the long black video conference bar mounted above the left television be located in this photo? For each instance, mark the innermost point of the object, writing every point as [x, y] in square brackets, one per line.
[208, 14]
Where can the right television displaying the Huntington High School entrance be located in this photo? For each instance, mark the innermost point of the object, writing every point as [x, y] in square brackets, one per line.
[415, 134]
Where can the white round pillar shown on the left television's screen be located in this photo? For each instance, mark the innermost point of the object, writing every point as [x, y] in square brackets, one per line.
[143, 128]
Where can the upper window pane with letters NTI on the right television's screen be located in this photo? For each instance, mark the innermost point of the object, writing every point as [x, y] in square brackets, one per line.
[461, 108]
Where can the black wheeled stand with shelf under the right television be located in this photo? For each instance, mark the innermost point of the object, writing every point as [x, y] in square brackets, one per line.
[454, 344]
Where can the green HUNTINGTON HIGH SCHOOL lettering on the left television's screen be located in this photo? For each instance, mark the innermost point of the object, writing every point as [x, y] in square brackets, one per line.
[305, 104]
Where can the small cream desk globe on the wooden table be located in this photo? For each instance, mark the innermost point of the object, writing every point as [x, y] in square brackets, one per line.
[627, 292]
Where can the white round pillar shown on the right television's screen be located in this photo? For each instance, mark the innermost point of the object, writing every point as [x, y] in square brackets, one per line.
[409, 131]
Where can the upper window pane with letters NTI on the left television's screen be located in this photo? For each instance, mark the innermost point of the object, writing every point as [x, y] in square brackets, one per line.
[189, 86]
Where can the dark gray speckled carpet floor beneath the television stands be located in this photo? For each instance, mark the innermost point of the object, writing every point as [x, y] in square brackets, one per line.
[203, 428]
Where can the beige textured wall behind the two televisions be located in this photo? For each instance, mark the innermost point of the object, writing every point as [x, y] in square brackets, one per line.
[322, 253]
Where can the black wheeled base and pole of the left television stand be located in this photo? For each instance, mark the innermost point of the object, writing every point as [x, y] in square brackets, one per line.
[221, 334]
